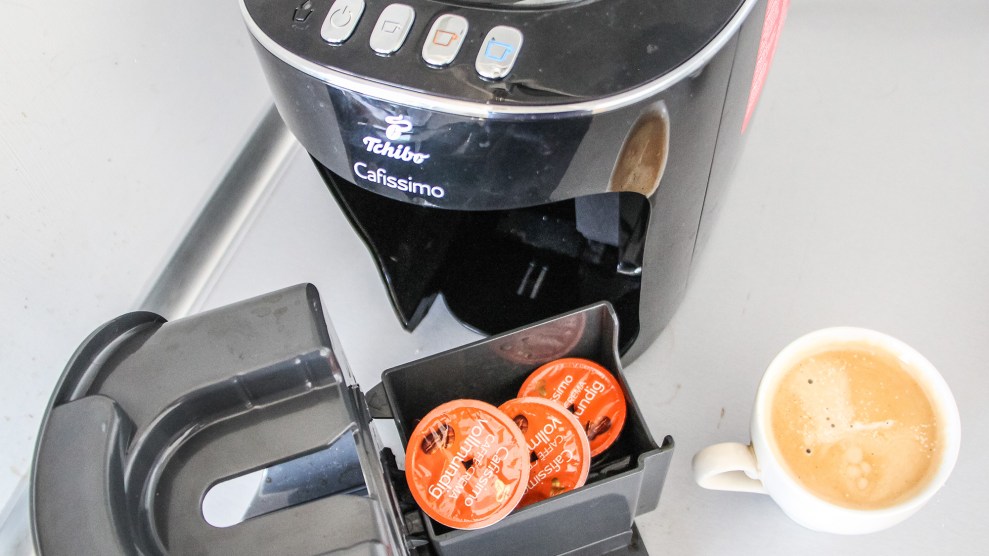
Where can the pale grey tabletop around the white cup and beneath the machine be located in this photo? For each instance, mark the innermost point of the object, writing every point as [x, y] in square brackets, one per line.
[859, 199]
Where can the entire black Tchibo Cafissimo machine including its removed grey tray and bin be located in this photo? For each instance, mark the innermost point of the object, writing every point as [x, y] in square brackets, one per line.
[545, 165]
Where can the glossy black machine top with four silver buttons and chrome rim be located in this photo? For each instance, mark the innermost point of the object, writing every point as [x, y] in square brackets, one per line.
[557, 57]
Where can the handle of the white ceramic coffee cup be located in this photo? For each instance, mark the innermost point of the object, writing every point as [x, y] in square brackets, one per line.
[728, 466]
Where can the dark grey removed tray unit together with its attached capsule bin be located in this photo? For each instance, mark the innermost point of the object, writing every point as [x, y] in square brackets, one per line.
[150, 415]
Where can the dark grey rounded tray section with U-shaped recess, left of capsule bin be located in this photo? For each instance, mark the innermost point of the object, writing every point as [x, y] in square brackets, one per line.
[149, 415]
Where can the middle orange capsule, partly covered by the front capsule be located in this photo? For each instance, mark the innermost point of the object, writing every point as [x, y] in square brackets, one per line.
[559, 453]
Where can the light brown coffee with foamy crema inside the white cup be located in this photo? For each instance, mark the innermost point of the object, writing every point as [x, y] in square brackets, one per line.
[855, 428]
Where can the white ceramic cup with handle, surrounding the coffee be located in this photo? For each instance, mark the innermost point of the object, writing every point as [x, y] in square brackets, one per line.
[759, 467]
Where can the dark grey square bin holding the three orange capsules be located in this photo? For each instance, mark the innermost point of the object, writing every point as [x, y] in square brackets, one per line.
[624, 481]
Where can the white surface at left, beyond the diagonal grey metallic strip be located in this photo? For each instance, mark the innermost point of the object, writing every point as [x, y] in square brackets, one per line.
[116, 120]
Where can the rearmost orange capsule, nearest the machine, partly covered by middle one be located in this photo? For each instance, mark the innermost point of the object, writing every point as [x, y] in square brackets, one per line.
[589, 391]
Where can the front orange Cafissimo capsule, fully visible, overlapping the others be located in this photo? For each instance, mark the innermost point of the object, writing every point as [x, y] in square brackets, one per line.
[467, 464]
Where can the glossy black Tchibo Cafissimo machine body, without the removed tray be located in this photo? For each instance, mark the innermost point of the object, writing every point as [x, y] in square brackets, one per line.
[522, 158]
